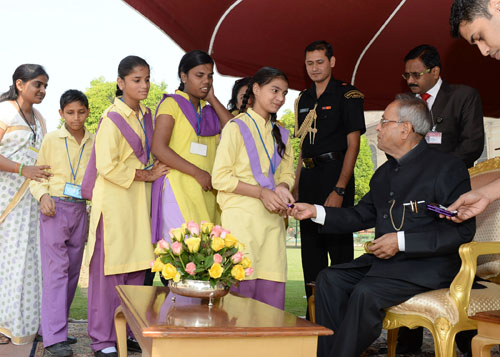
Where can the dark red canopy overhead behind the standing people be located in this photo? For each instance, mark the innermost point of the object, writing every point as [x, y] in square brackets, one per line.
[369, 37]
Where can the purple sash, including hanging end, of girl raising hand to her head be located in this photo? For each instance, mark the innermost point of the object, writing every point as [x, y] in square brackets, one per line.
[209, 126]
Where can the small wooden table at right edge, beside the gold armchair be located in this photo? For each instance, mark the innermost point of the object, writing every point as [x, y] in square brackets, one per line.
[488, 333]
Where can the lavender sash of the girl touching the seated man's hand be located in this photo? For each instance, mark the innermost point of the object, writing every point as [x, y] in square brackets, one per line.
[253, 155]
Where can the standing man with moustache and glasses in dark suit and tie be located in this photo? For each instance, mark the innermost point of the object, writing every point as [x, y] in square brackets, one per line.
[456, 110]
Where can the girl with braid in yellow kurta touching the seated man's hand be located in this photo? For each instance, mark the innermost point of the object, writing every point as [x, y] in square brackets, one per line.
[254, 199]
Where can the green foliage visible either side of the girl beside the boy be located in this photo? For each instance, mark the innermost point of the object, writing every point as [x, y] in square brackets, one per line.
[101, 95]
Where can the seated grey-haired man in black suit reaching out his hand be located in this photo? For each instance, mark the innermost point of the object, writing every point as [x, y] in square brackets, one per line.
[414, 250]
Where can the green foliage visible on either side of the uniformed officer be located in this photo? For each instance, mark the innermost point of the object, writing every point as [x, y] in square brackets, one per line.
[363, 170]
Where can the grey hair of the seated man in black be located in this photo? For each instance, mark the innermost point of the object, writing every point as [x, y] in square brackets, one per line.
[415, 111]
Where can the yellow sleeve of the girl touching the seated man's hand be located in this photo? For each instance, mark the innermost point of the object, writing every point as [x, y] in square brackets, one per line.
[223, 178]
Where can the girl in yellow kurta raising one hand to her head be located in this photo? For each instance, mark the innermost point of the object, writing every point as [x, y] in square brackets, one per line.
[185, 138]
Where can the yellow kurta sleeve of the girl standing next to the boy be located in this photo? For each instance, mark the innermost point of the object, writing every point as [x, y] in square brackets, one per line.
[108, 162]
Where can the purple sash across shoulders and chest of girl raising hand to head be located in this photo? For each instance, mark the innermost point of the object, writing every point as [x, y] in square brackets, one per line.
[209, 125]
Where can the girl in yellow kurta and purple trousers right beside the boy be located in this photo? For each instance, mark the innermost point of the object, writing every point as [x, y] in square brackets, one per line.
[119, 247]
